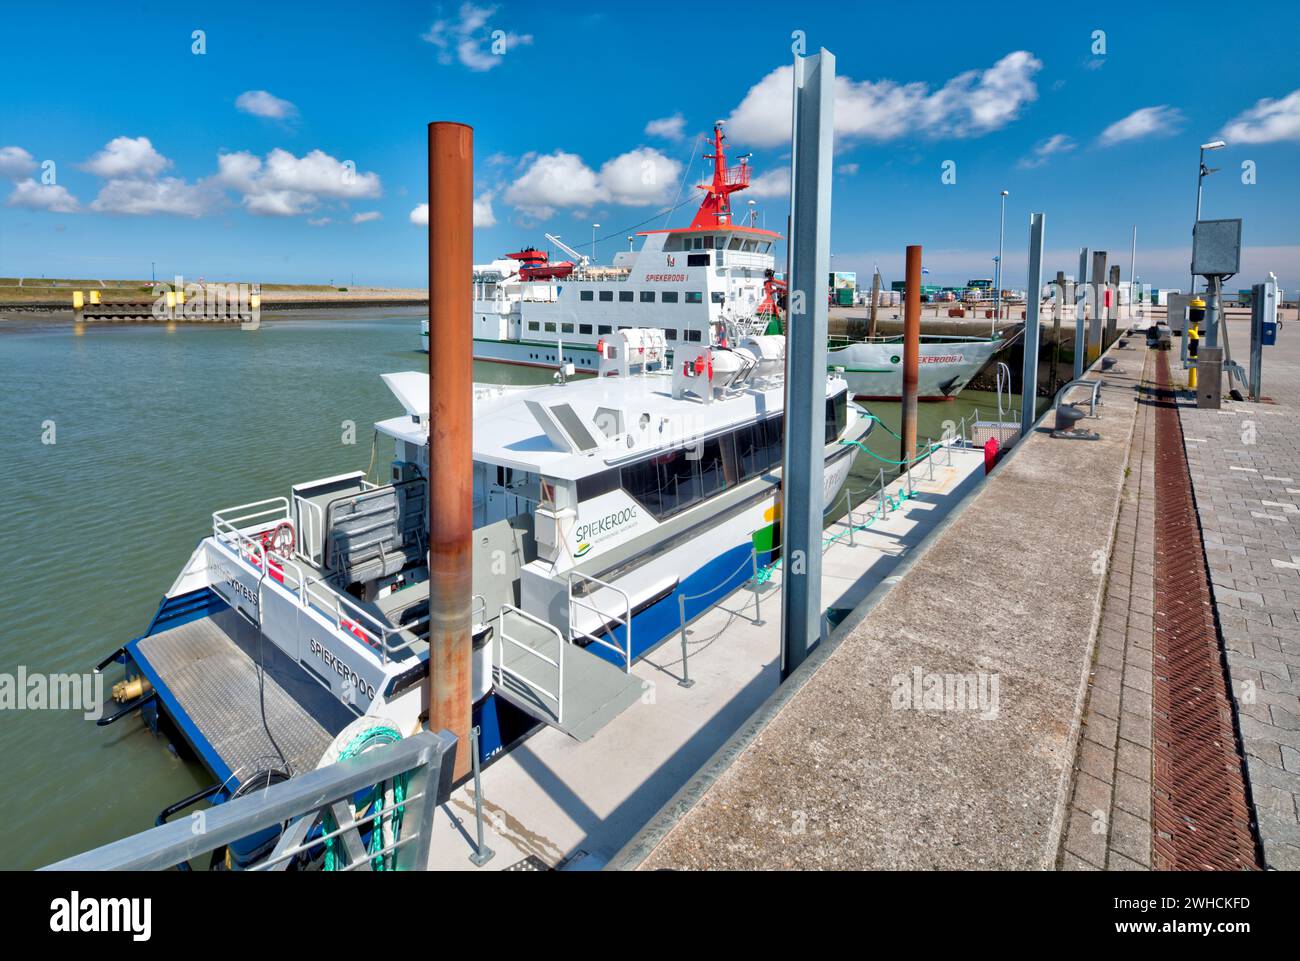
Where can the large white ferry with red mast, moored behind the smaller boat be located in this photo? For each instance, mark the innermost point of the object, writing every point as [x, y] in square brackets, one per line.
[532, 311]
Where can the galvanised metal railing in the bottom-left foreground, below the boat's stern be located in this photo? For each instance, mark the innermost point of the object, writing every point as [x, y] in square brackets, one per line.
[318, 806]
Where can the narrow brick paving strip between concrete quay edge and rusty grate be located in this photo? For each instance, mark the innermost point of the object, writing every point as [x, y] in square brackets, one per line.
[1111, 808]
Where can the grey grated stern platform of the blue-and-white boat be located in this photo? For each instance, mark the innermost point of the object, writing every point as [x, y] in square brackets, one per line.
[216, 687]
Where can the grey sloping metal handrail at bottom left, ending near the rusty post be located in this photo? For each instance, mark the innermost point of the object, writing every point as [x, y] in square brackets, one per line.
[304, 798]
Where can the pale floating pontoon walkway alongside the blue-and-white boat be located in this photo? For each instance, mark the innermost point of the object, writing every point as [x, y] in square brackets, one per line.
[558, 803]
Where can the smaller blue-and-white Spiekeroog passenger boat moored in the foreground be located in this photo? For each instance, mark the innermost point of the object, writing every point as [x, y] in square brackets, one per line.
[597, 503]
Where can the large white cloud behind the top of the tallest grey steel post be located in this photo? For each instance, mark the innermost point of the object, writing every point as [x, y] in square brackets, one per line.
[970, 105]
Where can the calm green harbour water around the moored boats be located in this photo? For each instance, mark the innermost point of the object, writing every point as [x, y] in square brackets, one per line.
[154, 430]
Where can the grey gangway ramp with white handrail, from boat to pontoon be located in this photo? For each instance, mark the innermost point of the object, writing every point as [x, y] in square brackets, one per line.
[557, 682]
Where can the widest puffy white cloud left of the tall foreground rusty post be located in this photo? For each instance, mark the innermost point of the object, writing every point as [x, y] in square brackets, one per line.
[285, 187]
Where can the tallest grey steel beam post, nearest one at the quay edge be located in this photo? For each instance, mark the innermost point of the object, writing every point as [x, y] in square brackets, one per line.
[805, 357]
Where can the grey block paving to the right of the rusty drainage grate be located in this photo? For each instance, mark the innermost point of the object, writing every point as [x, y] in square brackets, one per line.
[1245, 461]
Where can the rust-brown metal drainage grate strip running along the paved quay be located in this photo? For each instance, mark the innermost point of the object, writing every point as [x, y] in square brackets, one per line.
[1203, 819]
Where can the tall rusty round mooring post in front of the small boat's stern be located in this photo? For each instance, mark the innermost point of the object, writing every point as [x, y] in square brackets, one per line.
[452, 227]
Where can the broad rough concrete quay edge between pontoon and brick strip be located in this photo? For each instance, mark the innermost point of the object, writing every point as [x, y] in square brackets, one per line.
[938, 729]
